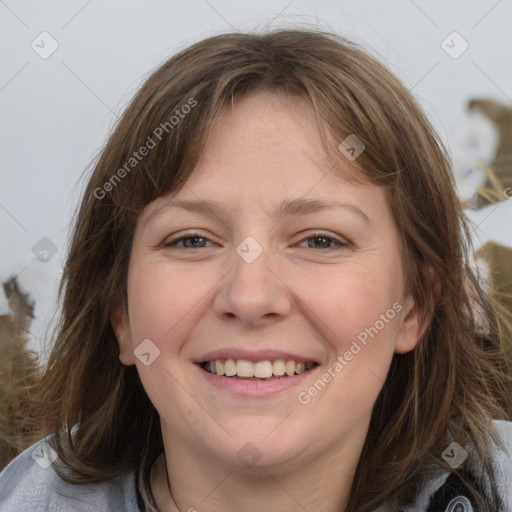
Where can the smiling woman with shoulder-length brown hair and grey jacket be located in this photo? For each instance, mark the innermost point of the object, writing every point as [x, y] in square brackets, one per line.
[267, 303]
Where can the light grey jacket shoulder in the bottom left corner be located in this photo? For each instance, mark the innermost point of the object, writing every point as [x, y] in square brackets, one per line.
[29, 482]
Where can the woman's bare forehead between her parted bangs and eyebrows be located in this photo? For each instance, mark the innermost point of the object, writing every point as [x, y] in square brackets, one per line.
[269, 136]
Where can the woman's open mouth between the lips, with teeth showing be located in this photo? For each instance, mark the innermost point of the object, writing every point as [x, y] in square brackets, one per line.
[265, 370]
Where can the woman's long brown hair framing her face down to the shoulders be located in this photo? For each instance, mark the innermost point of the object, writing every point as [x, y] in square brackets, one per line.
[452, 384]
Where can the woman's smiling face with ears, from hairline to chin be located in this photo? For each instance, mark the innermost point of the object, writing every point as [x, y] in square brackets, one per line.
[265, 263]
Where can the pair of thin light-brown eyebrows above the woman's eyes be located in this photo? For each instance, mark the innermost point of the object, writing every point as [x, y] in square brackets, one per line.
[289, 207]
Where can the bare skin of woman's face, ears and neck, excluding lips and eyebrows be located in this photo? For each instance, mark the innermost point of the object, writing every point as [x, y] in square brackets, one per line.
[303, 295]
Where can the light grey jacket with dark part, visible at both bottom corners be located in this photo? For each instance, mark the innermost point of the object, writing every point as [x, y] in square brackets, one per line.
[29, 483]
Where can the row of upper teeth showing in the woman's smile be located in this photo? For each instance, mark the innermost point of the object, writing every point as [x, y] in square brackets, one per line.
[261, 369]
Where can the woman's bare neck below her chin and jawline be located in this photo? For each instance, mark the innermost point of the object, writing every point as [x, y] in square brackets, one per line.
[319, 481]
